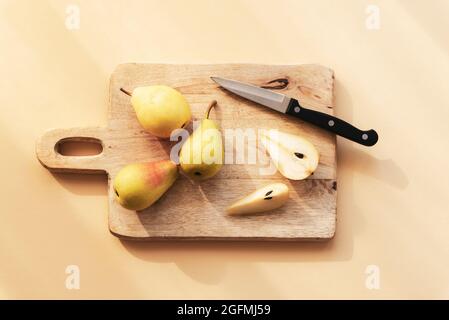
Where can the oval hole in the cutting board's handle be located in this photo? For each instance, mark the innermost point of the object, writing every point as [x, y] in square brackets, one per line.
[79, 147]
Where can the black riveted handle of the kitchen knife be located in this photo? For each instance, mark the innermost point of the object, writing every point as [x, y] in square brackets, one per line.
[332, 124]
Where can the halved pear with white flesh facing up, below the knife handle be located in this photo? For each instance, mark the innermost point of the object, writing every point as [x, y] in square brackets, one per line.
[295, 157]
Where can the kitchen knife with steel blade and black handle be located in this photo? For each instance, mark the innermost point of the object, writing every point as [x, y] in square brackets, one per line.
[291, 106]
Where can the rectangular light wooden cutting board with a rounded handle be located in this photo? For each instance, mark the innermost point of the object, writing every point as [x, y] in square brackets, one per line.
[190, 211]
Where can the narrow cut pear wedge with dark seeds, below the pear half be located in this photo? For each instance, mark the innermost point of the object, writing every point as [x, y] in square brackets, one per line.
[264, 199]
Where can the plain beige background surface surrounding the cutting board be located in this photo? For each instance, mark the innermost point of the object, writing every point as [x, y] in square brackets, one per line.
[392, 200]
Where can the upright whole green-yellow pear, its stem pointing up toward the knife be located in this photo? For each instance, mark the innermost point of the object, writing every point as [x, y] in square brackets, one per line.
[202, 155]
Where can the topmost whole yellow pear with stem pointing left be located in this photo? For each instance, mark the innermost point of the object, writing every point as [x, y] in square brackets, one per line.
[160, 109]
